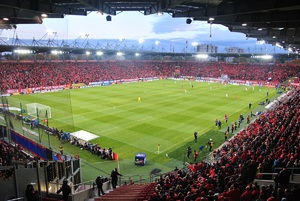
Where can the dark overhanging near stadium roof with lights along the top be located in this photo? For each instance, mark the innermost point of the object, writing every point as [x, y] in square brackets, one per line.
[274, 21]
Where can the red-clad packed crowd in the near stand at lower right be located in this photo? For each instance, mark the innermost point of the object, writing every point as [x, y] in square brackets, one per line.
[271, 142]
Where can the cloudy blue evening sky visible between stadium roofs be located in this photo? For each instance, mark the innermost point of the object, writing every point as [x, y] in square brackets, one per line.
[132, 27]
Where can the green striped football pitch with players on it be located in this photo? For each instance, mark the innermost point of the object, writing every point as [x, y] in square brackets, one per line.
[168, 114]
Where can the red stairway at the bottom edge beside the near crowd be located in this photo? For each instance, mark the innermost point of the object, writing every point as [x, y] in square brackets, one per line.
[135, 192]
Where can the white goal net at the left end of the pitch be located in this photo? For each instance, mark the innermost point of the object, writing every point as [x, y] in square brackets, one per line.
[38, 110]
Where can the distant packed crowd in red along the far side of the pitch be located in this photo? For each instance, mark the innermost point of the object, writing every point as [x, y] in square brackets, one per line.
[29, 75]
